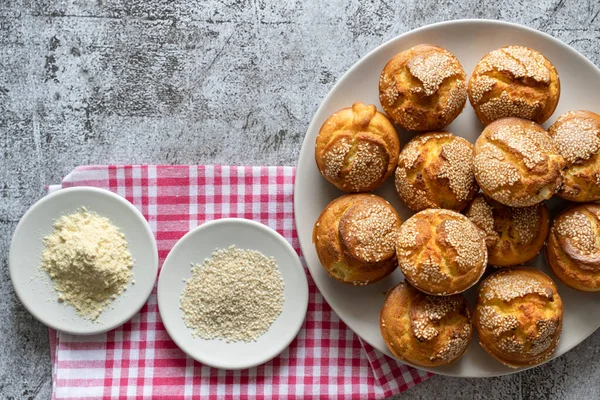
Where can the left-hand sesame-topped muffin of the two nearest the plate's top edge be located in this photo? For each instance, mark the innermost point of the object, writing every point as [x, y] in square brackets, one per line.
[423, 88]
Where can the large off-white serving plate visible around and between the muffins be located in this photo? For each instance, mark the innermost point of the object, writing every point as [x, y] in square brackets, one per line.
[469, 40]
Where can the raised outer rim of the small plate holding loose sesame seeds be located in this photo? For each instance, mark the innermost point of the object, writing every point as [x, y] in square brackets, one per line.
[279, 239]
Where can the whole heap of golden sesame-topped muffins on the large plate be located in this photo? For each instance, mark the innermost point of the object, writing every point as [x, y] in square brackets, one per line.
[499, 184]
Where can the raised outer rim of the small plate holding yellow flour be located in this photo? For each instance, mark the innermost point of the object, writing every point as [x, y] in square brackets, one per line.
[66, 192]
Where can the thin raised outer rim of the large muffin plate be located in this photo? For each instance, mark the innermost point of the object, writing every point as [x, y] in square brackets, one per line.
[313, 125]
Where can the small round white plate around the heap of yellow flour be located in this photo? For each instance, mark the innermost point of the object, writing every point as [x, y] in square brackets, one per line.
[34, 288]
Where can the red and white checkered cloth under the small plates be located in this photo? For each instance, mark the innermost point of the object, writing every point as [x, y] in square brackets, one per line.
[139, 359]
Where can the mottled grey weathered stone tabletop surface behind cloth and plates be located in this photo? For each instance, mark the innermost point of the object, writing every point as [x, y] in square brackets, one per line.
[215, 81]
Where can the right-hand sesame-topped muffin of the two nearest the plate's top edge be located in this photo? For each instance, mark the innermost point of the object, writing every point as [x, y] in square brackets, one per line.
[514, 81]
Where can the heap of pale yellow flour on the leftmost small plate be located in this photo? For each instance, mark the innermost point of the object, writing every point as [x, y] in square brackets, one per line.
[88, 260]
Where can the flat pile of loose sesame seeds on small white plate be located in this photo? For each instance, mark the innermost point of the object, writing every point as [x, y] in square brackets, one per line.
[234, 295]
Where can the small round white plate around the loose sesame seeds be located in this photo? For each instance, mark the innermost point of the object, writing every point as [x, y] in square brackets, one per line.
[199, 244]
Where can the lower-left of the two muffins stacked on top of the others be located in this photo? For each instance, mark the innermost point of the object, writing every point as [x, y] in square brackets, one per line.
[441, 252]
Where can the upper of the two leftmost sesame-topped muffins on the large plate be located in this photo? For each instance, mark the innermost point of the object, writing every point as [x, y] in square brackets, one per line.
[357, 148]
